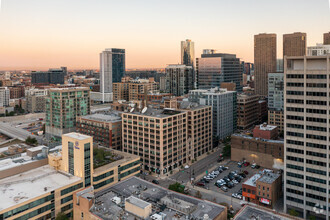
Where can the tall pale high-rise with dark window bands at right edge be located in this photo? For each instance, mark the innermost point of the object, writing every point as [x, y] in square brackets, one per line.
[306, 126]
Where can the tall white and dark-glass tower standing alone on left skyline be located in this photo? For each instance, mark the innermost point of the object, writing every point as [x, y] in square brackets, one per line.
[112, 68]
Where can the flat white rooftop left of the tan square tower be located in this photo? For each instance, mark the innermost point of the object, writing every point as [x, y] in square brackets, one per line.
[33, 183]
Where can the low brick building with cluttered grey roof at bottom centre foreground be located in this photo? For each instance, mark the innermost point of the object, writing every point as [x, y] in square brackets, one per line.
[137, 198]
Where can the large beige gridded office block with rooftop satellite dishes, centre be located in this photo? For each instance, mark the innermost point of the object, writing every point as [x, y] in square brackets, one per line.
[166, 139]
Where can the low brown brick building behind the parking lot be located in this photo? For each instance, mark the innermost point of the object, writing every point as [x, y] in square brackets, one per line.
[266, 153]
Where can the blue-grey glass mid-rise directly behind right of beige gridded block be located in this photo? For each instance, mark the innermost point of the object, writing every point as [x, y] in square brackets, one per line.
[224, 109]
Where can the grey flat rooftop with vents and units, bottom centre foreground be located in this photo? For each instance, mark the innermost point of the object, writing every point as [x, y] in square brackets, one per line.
[164, 202]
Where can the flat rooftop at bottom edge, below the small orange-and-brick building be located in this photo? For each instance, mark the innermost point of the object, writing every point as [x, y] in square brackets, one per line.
[249, 212]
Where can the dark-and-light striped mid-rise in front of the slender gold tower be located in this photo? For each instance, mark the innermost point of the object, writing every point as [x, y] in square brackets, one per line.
[179, 79]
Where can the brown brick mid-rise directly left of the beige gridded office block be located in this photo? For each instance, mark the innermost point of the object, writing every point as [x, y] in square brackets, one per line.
[104, 128]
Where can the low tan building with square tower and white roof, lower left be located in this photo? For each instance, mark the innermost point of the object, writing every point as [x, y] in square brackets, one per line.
[40, 184]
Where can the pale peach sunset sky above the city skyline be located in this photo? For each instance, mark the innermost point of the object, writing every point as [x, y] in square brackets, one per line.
[42, 34]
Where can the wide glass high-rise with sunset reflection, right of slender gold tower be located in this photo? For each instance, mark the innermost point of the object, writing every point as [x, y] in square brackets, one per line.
[215, 68]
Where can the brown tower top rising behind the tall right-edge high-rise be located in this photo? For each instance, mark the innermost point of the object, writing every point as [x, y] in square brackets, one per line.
[294, 44]
